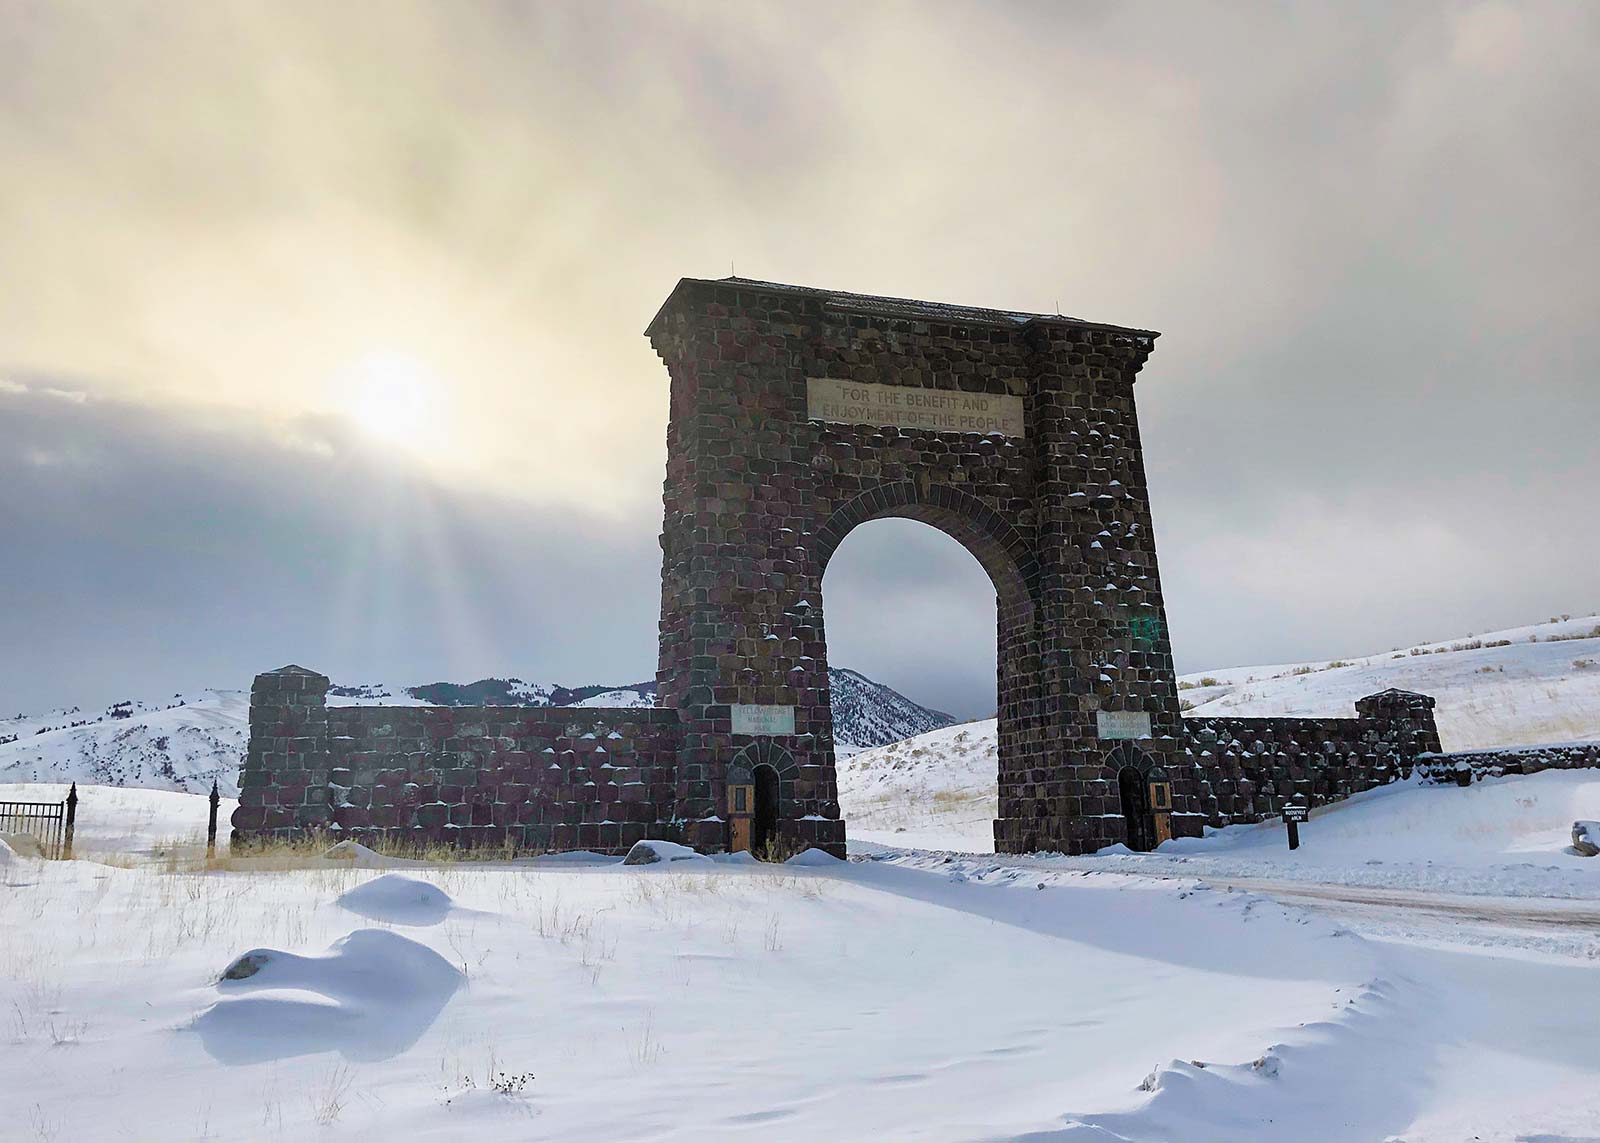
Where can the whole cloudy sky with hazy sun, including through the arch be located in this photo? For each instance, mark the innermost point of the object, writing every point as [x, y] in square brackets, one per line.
[321, 324]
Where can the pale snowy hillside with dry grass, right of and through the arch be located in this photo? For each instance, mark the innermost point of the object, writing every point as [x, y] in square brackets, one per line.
[1526, 686]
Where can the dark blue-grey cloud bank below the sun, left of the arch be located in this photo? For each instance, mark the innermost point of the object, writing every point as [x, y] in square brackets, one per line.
[153, 551]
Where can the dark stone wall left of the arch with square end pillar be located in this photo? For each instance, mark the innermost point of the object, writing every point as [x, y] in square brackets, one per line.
[537, 779]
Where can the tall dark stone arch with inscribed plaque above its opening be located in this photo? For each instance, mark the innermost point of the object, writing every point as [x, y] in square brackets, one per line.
[798, 415]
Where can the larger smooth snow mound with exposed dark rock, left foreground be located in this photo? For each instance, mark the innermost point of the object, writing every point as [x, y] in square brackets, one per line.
[377, 993]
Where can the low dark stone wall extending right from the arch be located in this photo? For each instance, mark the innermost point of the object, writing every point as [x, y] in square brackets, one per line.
[1249, 769]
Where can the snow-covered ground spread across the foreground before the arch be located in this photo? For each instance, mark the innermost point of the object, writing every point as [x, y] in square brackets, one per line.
[908, 998]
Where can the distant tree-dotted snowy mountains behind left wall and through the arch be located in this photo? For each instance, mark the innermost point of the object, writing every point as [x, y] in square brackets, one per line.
[190, 740]
